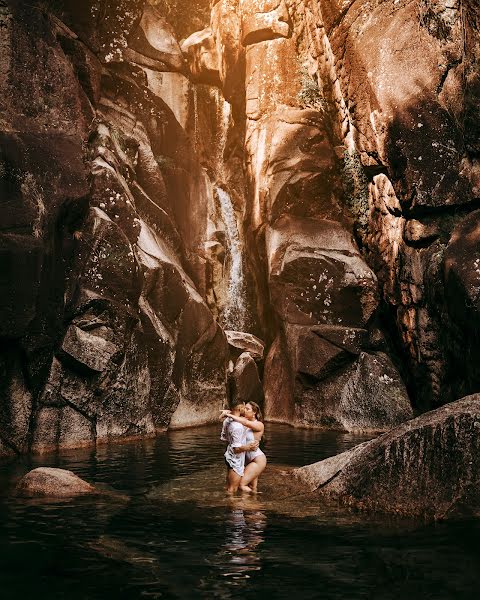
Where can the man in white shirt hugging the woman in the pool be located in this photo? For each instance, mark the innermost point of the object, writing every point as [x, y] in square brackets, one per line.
[236, 435]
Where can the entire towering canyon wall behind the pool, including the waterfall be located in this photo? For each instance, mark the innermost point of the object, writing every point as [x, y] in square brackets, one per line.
[300, 171]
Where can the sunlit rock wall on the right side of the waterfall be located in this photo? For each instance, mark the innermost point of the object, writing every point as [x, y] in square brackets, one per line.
[361, 151]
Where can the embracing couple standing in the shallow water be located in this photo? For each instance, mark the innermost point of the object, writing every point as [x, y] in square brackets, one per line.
[242, 430]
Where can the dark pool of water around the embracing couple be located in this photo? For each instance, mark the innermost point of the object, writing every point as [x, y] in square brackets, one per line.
[106, 548]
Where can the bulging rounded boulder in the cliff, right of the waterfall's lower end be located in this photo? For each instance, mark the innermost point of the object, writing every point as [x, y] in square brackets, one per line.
[317, 275]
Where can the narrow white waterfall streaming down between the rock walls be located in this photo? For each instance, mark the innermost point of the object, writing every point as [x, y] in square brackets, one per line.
[234, 316]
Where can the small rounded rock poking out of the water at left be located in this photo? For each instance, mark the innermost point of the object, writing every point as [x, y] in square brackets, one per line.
[53, 483]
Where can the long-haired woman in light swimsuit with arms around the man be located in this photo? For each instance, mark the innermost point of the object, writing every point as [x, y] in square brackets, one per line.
[255, 460]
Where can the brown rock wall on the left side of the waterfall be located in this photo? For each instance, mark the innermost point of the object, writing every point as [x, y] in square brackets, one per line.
[106, 332]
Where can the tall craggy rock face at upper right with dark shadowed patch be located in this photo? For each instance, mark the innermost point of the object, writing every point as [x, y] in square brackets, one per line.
[398, 114]
